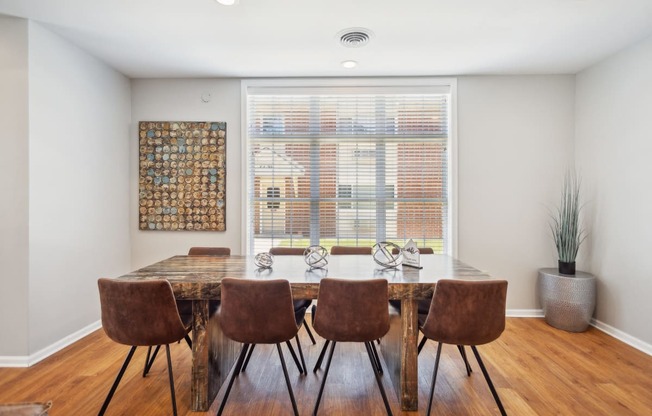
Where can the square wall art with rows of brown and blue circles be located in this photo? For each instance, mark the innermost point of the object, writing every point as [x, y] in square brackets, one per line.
[182, 180]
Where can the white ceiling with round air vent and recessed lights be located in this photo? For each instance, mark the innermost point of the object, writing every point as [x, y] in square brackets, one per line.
[268, 38]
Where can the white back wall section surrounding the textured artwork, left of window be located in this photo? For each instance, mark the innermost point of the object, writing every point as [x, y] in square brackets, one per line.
[180, 99]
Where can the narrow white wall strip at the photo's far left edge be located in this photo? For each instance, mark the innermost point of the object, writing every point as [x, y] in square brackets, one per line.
[13, 187]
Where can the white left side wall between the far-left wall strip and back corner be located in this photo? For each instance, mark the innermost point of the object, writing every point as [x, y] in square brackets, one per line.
[79, 115]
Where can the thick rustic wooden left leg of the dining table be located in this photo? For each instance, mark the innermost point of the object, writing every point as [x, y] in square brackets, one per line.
[213, 355]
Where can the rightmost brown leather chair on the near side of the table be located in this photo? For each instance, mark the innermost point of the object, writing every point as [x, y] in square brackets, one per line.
[466, 312]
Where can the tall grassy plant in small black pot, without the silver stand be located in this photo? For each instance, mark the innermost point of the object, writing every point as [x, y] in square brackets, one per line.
[567, 231]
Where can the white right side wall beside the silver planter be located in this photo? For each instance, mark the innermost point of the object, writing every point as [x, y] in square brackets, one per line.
[613, 148]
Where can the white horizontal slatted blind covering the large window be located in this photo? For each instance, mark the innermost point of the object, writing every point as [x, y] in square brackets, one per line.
[347, 166]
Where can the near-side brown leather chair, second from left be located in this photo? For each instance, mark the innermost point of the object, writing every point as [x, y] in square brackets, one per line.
[257, 312]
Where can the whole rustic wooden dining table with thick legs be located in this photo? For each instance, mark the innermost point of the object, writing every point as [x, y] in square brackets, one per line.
[198, 278]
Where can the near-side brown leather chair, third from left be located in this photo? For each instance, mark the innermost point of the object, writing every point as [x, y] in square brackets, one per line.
[352, 311]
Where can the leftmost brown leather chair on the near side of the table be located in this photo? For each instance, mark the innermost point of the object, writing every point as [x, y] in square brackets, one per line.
[140, 313]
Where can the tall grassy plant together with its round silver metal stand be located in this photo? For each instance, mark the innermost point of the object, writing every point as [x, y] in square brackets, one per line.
[567, 297]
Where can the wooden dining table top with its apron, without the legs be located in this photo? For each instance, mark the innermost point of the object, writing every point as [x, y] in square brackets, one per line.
[198, 277]
